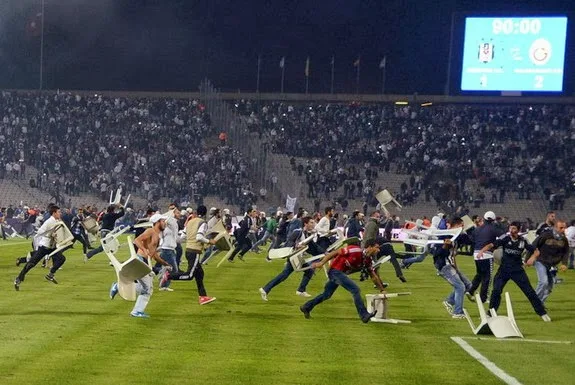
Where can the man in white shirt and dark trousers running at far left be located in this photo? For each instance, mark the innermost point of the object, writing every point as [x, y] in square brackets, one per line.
[45, 244]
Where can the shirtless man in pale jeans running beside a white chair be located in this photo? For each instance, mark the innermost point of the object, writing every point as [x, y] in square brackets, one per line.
[147, 245]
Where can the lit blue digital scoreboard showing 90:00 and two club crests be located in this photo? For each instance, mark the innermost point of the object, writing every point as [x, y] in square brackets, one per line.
[514, 54]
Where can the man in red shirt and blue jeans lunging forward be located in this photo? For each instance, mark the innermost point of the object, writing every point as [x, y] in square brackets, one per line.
[350, 259]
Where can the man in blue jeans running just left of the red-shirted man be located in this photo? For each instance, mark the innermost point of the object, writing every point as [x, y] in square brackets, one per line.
[296, 238]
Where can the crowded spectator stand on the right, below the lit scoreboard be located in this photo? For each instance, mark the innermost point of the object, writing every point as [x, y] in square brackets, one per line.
[507, 149]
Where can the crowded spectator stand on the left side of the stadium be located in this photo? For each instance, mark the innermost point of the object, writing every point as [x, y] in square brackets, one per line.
[154, 147]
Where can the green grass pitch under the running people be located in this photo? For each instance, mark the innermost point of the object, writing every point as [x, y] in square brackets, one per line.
[72, 333]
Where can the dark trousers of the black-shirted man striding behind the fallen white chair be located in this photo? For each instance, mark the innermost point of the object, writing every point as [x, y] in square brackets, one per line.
[518, 276]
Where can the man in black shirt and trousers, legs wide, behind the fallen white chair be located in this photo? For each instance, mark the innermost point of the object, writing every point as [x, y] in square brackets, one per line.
[511, 268]
